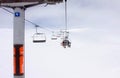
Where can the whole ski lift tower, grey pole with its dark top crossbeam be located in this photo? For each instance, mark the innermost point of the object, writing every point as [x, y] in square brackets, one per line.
[19, 7]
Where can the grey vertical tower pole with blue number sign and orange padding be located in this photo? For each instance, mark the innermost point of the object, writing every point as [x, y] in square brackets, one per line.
[19, 42]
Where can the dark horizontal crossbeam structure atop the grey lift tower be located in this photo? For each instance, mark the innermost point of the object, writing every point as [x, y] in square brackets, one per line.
[26, 3]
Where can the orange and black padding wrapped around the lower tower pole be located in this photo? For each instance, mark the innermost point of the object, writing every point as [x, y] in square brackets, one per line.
[18, 59]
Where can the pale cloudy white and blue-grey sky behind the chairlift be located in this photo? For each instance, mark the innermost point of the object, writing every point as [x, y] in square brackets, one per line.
[95, 37]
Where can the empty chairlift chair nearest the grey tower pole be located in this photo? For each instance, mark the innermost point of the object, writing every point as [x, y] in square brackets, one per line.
[39, 38]
